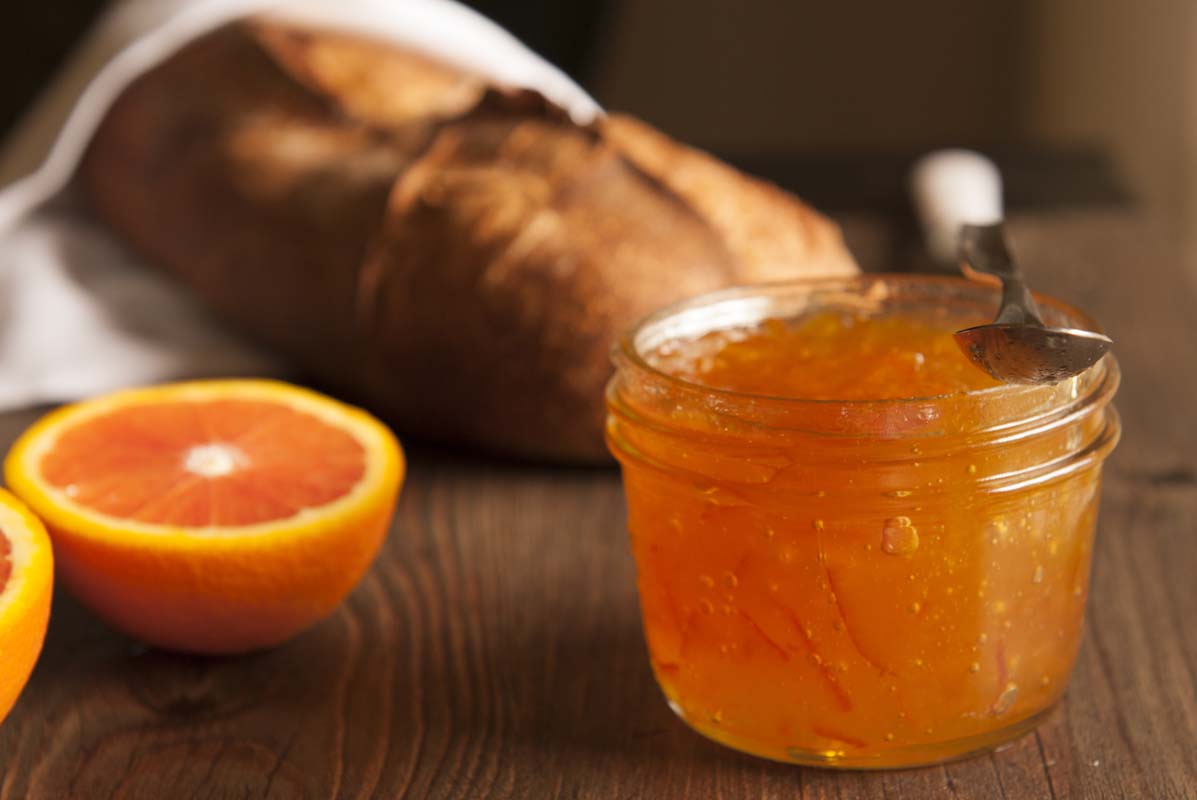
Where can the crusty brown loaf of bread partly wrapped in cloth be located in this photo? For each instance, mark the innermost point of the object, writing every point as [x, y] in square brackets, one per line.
[455, 257]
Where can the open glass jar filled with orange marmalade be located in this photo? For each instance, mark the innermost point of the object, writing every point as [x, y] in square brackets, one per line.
[854, 548]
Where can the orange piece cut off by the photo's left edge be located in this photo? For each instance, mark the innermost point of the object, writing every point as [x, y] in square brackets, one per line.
[27, 583]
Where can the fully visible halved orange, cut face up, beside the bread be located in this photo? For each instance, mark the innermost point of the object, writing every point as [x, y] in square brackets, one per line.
[211, 517]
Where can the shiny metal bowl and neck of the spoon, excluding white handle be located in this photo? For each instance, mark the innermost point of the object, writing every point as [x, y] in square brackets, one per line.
[1017, 347]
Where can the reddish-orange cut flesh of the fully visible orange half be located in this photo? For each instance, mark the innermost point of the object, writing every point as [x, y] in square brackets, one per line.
[143, 463]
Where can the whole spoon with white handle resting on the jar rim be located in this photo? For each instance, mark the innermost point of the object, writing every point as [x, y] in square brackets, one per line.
[958, 195]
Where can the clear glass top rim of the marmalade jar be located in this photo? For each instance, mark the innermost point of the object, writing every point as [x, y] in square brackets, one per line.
[871, 289]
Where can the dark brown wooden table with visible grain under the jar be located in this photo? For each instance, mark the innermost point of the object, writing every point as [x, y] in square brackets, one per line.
[495, 651]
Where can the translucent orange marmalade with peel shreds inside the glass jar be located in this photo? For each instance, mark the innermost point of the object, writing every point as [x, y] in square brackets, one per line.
[805, 604]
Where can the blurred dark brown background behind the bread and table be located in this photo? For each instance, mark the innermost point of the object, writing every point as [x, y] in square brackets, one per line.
[1079, 102]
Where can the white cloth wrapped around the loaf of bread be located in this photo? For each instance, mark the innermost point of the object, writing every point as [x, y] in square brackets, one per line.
[78, 316]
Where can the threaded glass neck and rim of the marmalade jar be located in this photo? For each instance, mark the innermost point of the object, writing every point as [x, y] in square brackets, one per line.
[1018, 434]
